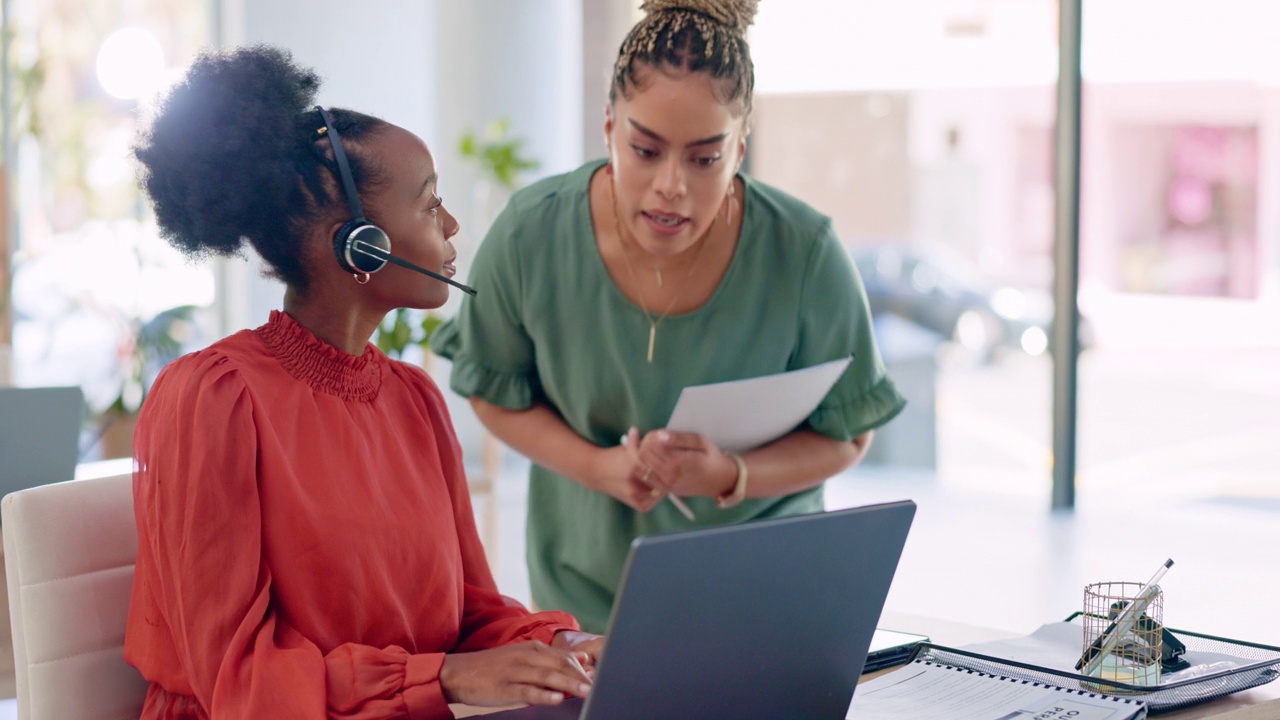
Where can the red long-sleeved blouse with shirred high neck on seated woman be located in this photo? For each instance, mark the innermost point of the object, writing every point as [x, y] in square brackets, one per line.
[307, 546]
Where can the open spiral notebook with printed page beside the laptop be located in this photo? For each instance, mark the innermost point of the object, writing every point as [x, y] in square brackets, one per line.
[927, 691]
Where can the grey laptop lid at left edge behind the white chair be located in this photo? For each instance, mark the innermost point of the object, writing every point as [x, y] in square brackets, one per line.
[39, 436]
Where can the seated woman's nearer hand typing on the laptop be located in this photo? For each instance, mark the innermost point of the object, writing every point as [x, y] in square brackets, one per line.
[531, 673]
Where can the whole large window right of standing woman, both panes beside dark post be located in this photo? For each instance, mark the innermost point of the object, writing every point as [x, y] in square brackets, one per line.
[929, 139]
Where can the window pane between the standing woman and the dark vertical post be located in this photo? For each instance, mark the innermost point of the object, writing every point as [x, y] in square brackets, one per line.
[927, 136]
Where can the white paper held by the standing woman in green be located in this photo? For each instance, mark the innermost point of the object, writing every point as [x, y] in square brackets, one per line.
[740, 416]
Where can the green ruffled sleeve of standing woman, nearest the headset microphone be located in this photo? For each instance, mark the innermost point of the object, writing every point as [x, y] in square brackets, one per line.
[492, 353]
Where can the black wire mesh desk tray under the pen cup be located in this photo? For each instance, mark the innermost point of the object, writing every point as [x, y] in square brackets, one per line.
[1260, 666]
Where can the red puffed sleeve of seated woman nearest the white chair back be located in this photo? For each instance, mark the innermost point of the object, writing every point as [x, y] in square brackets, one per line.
[203, 593]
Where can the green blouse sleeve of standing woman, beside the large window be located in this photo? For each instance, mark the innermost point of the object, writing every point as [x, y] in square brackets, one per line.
[835, 321]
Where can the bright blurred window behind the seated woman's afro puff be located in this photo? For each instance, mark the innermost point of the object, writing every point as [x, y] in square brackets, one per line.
[98, 299]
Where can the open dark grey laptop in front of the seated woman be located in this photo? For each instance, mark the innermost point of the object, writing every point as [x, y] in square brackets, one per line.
[765, 619]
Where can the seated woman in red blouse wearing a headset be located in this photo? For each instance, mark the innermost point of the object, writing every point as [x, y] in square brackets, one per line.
[307, 546]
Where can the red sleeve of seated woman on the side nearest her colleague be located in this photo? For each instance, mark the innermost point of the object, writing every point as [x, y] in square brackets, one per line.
[490, 619]
